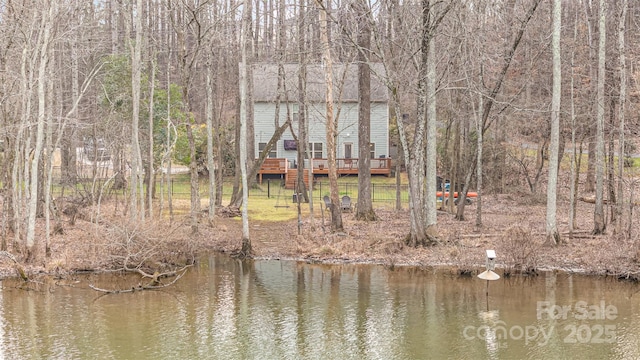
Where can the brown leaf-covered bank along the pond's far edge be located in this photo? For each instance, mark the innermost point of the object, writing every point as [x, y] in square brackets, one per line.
[513, 225]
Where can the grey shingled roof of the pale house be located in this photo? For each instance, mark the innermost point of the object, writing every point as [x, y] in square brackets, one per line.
[265, 82]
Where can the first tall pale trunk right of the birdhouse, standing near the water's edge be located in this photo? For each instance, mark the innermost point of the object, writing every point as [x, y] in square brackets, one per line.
[553, 237]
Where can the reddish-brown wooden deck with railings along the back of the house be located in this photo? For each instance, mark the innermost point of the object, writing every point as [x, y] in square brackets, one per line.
[280, 166]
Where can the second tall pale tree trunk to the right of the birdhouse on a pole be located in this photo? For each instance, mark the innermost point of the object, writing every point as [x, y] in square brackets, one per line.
[598, 221]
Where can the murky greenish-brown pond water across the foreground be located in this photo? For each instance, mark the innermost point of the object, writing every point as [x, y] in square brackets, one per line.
[224, 309]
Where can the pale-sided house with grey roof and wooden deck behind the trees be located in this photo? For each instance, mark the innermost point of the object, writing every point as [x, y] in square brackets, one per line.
[282, 158]
